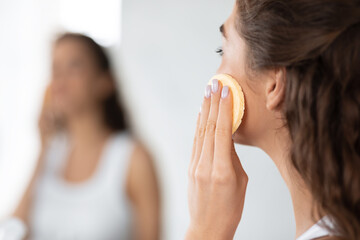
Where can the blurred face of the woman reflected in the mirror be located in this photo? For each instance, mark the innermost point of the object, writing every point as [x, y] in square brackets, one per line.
[75, 78]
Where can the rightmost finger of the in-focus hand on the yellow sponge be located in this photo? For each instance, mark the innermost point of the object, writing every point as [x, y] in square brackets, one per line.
[223, 134]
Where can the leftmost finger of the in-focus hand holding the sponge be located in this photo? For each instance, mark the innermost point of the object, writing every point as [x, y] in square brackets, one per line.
[200, 131]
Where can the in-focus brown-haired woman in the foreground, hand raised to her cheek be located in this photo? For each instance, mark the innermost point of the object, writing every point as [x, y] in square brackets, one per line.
[298, 62]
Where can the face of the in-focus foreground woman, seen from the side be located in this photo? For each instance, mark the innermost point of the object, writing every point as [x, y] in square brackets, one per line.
[256, 118]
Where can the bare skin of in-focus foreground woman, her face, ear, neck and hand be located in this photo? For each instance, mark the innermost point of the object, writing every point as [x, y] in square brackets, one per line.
[217, 181]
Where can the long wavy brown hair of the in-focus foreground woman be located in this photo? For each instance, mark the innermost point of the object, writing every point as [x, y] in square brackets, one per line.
[318, 43]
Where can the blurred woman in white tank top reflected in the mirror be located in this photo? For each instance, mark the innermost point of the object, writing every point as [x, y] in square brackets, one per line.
[94, 180]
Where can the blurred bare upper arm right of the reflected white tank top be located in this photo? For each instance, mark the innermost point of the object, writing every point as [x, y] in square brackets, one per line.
[143, 190]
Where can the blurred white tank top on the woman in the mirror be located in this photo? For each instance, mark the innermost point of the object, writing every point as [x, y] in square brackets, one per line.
[97, 209]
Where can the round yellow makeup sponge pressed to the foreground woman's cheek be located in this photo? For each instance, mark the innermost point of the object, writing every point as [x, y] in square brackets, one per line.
[238, 98]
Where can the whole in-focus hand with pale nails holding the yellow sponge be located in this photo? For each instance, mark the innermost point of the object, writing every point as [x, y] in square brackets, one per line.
[217, 181]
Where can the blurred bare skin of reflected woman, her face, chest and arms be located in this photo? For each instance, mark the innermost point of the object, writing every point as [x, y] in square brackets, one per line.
[77, 87]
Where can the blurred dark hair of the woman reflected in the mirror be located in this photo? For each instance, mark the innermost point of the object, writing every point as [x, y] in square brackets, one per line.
[113, 111]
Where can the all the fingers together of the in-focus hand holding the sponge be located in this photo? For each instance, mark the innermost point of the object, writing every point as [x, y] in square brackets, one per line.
[213, 147]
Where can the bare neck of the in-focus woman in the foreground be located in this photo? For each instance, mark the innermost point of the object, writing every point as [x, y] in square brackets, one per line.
[277, 145]
